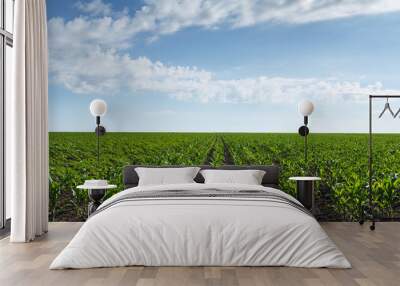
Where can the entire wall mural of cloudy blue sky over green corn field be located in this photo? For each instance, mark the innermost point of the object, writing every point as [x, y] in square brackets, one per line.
[216, 82]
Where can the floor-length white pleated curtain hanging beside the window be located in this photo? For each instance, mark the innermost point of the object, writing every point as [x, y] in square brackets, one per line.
[27, 151]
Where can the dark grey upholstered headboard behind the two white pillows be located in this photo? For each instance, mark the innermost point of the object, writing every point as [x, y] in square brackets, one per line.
[270, 179]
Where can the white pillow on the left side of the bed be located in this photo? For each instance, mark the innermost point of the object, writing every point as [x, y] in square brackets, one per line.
[166, 176]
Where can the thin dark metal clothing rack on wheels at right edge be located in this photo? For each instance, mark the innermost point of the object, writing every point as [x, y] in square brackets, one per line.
[370, 169]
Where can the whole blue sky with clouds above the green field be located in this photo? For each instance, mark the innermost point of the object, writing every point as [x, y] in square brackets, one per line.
[227, 66]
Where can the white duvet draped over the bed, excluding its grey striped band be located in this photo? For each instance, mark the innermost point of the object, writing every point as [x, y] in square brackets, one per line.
[193, 231]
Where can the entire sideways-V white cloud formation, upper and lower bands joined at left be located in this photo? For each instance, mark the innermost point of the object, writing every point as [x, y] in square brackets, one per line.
[88, 54]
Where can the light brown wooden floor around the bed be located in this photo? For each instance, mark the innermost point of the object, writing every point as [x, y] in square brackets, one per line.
[375, 257]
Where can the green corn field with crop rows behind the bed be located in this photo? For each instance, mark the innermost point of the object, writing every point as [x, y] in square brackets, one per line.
[341, 160]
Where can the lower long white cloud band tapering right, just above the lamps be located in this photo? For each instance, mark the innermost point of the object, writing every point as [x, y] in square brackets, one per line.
[107, 72]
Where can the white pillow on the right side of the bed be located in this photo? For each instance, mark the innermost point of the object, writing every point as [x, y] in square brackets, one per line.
[248, 177]
